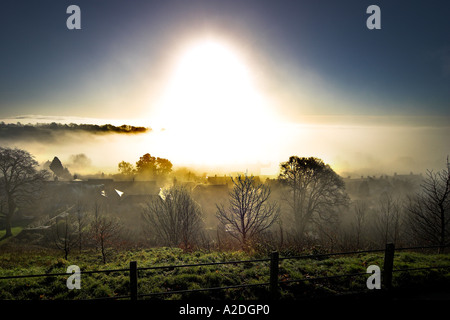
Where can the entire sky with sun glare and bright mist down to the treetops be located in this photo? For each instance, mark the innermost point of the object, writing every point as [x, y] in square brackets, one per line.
[261, 80]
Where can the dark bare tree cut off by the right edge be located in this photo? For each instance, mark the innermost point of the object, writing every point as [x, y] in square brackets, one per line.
[429, 210]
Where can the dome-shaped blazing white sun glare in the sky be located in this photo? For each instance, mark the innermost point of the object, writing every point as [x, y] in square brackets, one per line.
[211, 109]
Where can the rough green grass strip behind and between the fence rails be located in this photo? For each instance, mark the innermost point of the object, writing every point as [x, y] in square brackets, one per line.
[99, 285]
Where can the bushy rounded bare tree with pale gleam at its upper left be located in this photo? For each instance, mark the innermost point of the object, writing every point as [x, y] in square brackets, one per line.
[174, 217]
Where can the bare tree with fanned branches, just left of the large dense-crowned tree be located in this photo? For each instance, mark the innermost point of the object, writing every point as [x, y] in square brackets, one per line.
[249, 212]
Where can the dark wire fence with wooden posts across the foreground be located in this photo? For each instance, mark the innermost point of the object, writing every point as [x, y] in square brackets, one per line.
[273, 285]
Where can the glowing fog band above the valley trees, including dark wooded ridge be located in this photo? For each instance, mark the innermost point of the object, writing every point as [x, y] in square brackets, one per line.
[352, 150]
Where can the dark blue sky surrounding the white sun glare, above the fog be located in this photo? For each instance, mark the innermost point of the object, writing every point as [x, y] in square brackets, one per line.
[402, 69]
